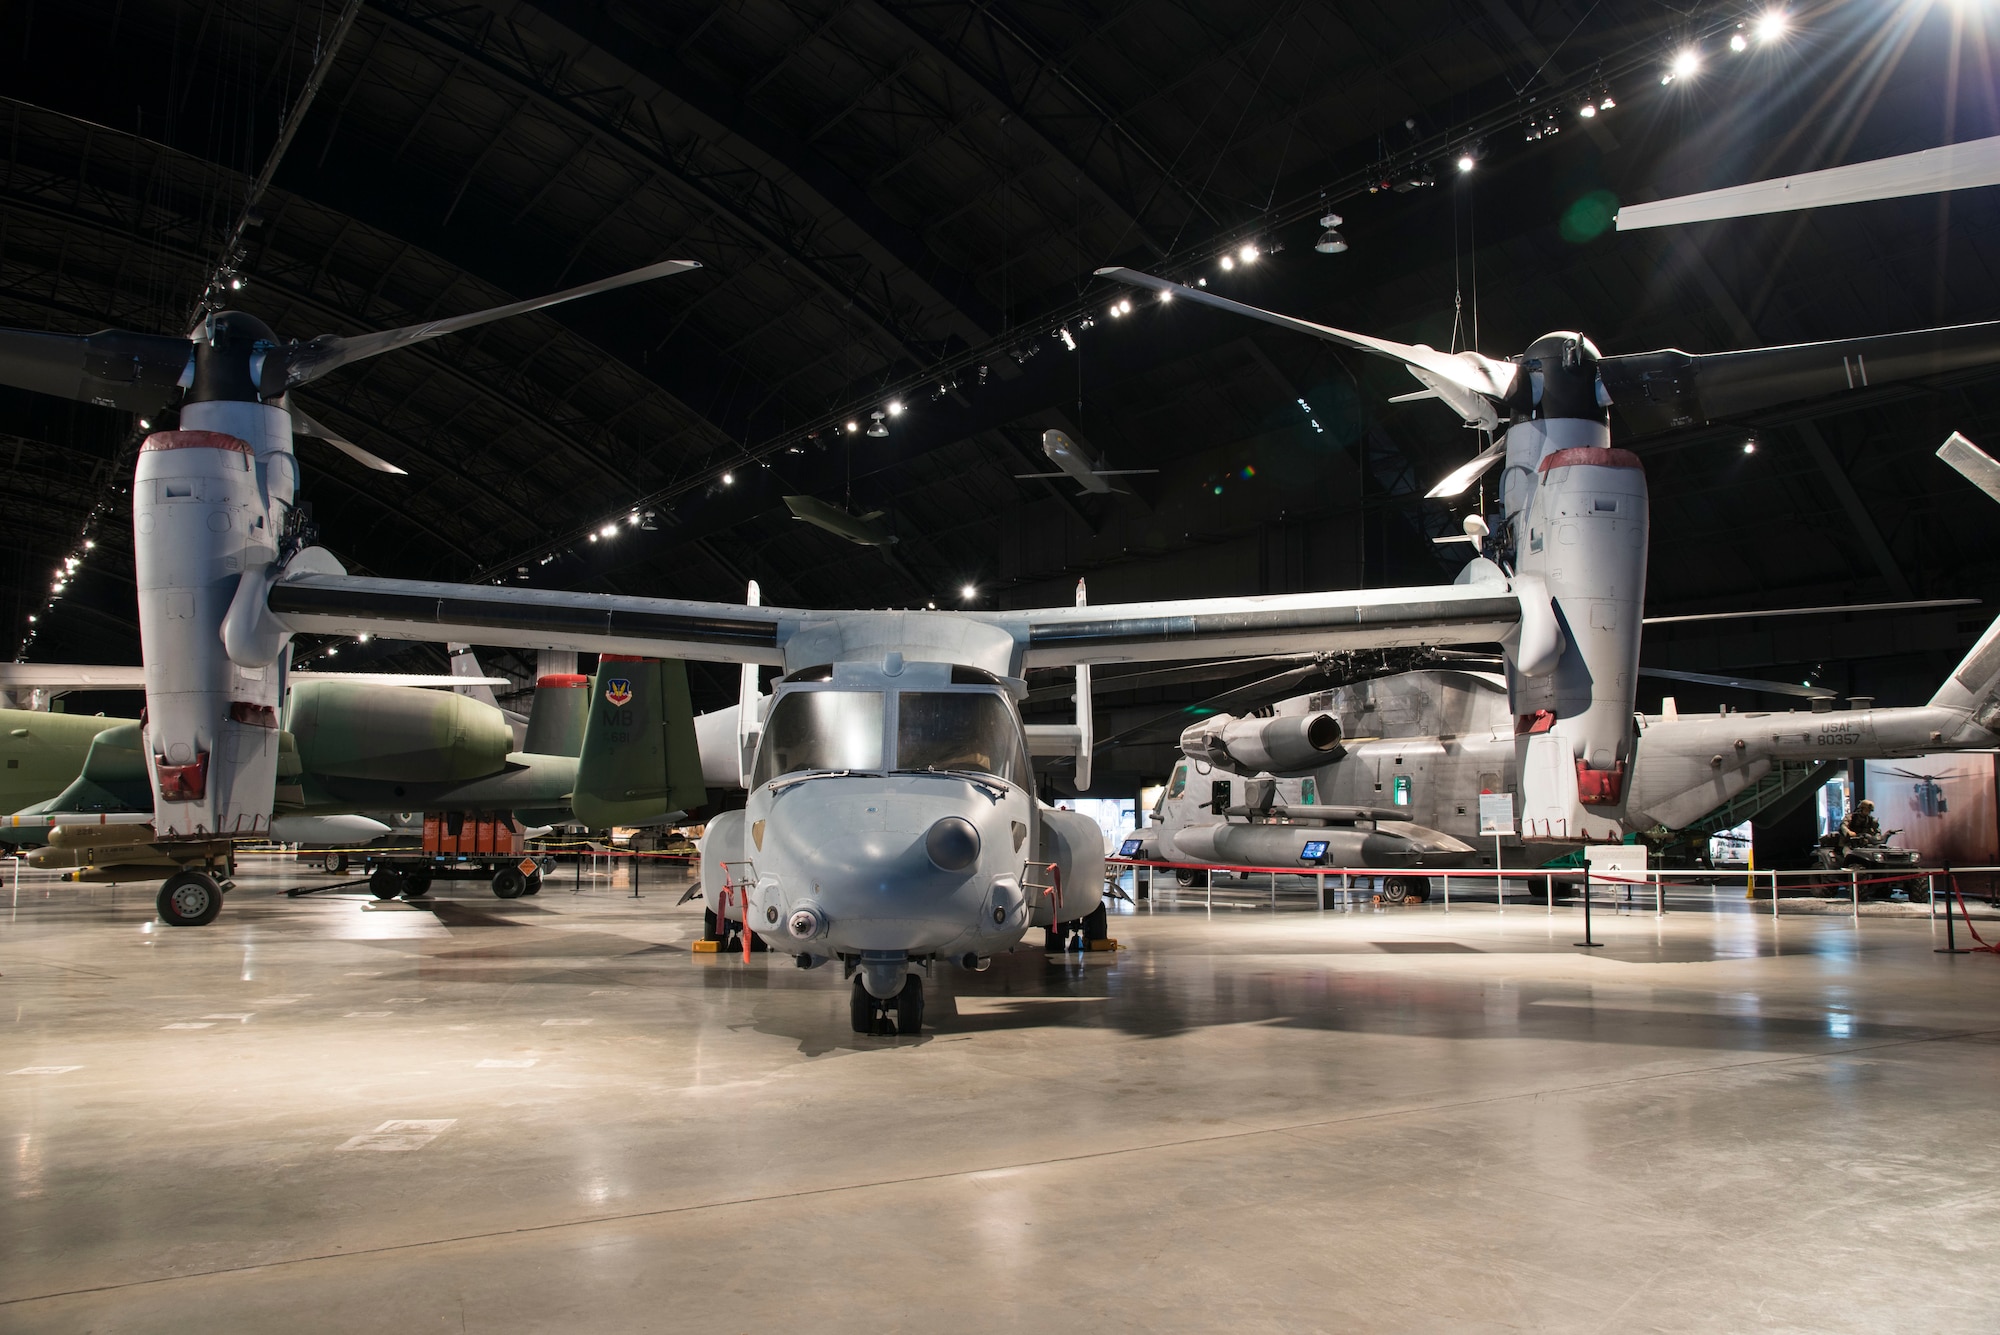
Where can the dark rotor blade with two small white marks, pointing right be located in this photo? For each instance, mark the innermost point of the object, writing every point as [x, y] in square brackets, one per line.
[1671, 389]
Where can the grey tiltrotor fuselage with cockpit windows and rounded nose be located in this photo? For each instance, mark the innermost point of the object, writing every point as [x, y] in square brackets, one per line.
[891, 820]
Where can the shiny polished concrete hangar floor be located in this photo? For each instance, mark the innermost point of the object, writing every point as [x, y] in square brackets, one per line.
[551, 1116]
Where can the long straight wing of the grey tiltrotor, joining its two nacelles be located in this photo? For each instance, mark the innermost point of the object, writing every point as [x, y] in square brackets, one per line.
[1043, 639]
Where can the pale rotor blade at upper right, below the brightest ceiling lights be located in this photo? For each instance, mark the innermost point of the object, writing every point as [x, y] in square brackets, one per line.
[1953, 167]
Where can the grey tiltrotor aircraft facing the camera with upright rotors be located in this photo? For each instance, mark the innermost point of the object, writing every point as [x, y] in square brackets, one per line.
[891, 820]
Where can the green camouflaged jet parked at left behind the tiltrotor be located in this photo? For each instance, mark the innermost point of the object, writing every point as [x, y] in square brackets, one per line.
[353, 748]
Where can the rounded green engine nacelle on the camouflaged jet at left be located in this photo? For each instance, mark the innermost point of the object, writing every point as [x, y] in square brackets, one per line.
[395, 732]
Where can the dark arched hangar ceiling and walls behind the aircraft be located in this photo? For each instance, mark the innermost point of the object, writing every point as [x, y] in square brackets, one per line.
[905, 205]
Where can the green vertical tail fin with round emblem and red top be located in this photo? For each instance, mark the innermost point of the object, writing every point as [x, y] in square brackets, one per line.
[641, 762]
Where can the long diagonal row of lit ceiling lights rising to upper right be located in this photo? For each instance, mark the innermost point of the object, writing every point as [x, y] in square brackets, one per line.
[969, 369]
